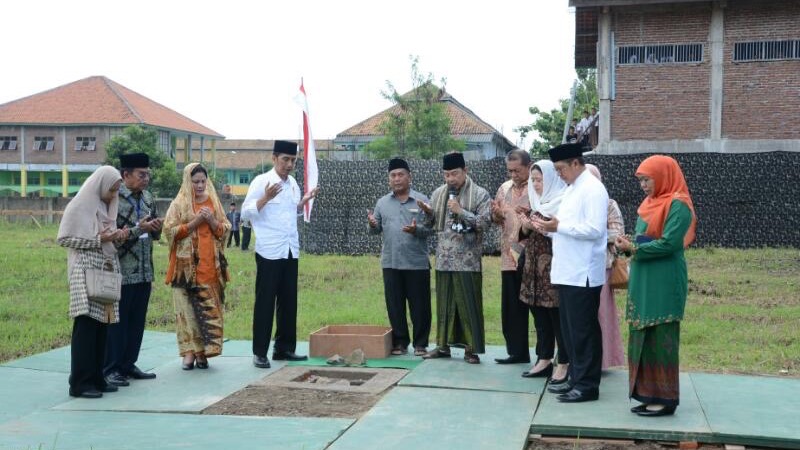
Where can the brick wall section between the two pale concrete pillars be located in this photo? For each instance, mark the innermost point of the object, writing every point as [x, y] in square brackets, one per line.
[662, 101]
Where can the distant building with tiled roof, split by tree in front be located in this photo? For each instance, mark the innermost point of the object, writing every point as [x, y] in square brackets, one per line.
[483, 141]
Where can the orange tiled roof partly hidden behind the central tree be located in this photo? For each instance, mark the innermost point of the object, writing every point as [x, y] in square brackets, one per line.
[462, 120]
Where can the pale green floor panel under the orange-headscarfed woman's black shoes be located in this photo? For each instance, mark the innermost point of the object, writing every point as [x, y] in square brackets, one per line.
[610, 416]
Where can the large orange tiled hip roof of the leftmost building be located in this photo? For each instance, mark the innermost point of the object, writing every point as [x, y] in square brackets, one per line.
[96, 100]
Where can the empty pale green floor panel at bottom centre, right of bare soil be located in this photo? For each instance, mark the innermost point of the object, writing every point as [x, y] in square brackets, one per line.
[429, 418]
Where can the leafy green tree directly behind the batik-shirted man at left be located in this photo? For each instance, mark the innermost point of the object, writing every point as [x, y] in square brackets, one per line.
[137, 139]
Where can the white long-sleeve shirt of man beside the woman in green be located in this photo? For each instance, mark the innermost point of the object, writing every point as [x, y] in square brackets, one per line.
[579, 244]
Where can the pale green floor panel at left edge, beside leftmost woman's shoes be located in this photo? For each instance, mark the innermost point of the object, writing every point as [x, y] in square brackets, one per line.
[23, 391]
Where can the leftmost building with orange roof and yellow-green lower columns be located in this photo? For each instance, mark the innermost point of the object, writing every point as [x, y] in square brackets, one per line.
[52, 141]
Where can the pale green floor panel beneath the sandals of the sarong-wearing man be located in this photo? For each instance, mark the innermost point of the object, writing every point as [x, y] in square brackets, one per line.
[486, 376]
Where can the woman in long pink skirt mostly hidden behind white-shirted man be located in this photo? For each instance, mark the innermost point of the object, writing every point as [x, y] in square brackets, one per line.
[613, 354]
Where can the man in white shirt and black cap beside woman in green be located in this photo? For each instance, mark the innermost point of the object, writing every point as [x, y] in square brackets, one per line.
[579, 236]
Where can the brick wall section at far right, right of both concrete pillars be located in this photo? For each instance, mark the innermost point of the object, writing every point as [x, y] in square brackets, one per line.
[761, 99]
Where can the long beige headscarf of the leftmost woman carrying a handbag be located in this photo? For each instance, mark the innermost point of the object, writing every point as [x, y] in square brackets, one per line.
[87, 215]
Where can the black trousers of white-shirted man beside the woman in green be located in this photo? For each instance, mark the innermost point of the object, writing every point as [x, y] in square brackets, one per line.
[582, 337]
